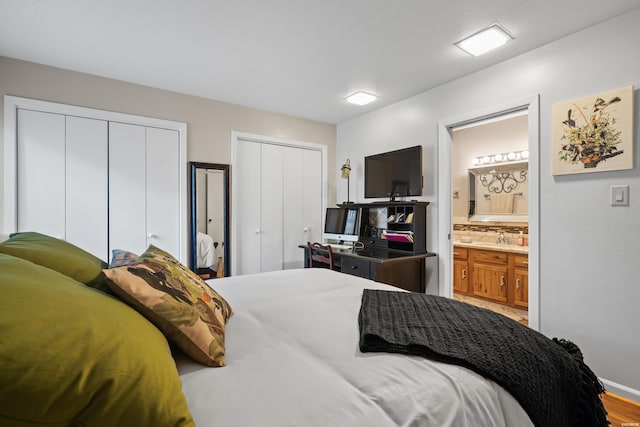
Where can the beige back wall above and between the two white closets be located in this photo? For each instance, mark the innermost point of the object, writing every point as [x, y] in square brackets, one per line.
[209, 123]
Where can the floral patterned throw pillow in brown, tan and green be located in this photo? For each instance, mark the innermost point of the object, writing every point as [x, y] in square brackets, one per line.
[177, 301]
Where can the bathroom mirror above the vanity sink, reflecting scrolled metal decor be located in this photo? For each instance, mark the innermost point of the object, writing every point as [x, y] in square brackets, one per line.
[499, 193]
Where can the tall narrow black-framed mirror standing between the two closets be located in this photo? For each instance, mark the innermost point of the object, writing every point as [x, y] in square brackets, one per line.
[209, 193]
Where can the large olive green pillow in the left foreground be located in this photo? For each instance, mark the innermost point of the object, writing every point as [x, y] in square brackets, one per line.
[72, 356]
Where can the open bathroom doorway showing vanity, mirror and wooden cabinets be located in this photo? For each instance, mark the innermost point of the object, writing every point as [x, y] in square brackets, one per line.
[489, 176]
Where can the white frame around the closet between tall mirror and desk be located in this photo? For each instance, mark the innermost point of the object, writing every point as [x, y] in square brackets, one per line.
[261, 139]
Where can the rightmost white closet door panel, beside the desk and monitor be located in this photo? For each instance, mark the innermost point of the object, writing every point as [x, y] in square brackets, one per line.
[312, 195]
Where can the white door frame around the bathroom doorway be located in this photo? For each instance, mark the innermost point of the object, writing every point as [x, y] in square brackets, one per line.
[445, 225]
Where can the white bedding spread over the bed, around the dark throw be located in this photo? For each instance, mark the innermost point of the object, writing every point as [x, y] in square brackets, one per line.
[293, 360]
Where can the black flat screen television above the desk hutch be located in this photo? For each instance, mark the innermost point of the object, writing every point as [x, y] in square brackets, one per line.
[393, 174]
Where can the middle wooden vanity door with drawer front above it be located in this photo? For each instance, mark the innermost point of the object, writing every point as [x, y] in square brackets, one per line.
[489, 274]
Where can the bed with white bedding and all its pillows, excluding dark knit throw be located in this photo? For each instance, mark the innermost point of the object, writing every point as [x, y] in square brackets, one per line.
[286, 345]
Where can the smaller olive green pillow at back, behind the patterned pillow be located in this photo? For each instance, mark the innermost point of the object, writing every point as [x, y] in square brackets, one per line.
[57, 255]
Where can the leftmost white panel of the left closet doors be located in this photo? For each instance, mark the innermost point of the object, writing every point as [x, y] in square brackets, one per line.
[41, 173]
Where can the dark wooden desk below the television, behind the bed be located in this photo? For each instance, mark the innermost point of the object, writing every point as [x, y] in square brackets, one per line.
[403, 270]
